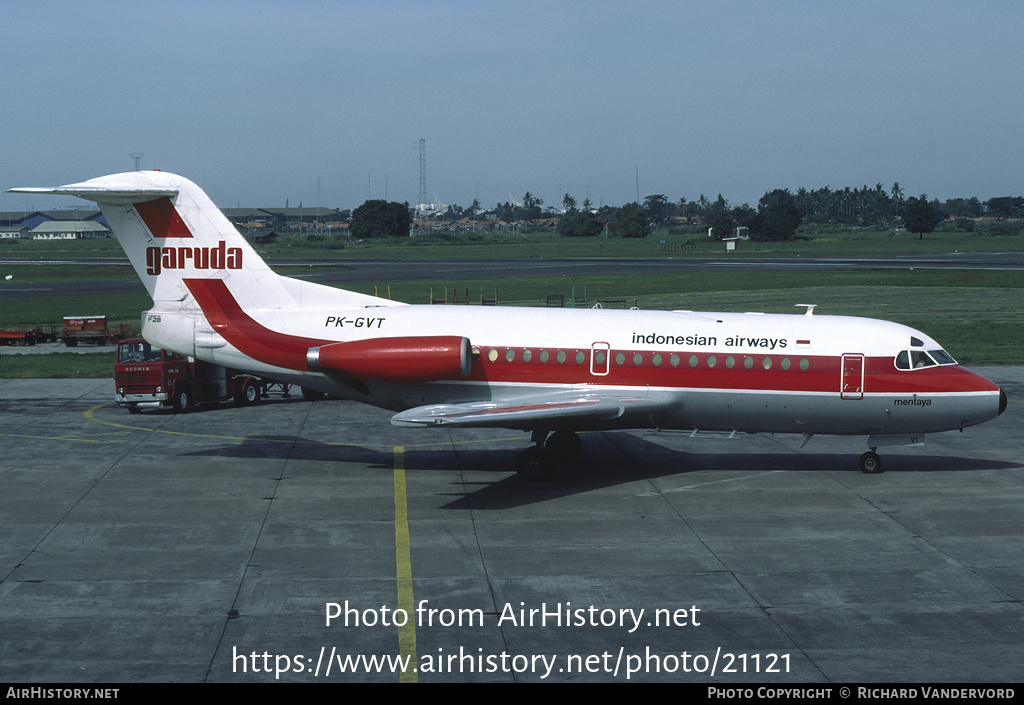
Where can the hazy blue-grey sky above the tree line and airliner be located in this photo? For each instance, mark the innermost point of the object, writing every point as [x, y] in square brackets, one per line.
[269, 103]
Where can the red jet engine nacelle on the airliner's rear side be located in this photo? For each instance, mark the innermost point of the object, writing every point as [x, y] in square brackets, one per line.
[396, 360]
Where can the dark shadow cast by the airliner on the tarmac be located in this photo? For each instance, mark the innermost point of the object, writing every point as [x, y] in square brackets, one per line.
[489, 481]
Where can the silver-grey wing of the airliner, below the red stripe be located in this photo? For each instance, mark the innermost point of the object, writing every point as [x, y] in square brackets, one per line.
[554, 411]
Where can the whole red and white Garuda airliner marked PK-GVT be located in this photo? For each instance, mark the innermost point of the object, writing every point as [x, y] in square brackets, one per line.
[552, 372]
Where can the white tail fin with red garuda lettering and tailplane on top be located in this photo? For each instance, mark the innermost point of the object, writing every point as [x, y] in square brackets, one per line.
[174, 234]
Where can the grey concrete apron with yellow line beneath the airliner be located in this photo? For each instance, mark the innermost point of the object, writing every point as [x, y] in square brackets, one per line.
[292, 542]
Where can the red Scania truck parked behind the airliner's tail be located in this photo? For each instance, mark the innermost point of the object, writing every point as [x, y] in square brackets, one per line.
[148, 378]
